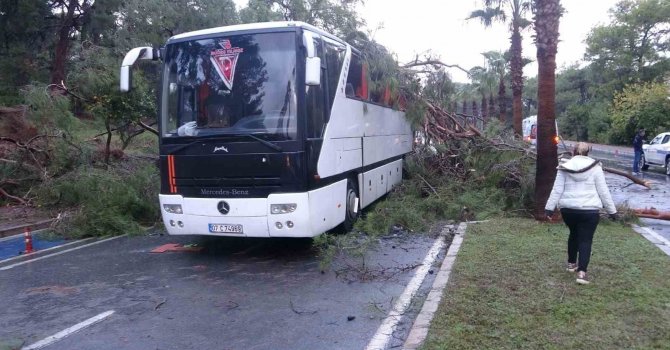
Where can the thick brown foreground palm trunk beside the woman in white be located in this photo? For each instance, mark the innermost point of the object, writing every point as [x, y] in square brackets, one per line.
[547, 17]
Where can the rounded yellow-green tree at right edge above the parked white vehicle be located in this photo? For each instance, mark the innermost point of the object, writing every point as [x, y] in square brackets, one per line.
[641, 105]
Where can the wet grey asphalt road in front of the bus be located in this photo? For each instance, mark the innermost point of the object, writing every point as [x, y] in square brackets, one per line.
[230, 294]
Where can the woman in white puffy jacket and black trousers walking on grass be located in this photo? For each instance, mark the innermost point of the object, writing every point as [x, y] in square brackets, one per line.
[580, 191]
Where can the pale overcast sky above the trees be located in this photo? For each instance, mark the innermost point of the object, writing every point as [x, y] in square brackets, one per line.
[413, 27]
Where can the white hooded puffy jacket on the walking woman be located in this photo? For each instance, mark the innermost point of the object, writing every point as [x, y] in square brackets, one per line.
[580, 184]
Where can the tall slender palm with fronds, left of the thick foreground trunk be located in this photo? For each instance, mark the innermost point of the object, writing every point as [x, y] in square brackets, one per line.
[501, 10]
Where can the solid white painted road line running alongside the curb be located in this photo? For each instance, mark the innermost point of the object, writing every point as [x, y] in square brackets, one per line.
[385, 331]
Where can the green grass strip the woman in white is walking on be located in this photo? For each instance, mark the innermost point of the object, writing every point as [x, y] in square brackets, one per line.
[509, 290]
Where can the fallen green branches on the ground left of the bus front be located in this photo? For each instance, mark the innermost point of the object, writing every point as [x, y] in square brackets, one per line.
[104, 202]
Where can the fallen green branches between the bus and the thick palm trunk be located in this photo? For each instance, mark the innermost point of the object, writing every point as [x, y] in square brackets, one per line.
[496, 182]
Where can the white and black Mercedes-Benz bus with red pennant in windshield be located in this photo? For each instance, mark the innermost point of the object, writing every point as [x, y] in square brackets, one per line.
[270, 130]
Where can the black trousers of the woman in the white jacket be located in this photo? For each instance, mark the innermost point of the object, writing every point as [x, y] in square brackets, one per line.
[582, 225]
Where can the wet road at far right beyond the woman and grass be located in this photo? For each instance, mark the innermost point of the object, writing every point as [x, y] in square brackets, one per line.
[635, 196]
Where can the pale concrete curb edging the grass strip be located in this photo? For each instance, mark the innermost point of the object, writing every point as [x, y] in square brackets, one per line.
[417, 335]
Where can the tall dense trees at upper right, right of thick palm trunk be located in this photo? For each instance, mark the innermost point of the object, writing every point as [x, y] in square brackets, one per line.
[626, 54]
